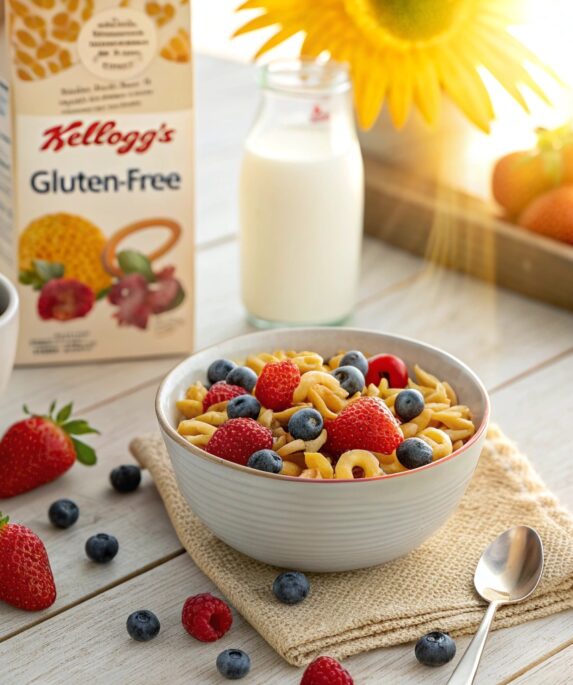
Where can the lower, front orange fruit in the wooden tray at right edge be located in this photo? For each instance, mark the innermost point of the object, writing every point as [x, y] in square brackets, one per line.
[551, 214]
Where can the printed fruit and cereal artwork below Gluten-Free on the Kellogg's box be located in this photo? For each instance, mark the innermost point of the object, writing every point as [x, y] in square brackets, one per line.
[67, 259]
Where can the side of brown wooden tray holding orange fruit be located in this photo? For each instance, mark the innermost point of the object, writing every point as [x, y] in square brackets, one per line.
[461, 232]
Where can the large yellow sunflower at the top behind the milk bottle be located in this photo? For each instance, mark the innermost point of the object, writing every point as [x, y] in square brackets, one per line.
[409, 51]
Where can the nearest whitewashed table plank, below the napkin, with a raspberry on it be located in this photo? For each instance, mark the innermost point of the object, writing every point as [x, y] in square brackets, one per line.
[68, 654]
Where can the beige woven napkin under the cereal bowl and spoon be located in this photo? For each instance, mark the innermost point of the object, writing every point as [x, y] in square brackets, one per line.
[429, 589]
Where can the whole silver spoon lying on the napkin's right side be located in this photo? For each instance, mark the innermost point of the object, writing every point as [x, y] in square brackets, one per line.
[508, 571]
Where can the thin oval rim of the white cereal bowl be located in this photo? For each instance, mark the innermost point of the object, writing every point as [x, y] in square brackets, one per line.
[172, 433]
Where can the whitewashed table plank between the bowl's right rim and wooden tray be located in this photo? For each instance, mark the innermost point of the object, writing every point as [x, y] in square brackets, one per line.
[497, 333]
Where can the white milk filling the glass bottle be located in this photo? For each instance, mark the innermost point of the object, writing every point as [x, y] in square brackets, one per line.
[301, 211]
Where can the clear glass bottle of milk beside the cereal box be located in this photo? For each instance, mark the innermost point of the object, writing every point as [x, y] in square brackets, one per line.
[301, 198]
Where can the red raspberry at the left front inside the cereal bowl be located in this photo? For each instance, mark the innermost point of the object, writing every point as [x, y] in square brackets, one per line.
[237, 439]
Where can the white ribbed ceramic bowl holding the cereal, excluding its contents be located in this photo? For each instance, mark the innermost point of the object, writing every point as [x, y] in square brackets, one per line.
[321, 525]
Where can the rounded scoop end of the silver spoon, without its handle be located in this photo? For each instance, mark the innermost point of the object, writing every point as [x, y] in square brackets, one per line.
[511, 566]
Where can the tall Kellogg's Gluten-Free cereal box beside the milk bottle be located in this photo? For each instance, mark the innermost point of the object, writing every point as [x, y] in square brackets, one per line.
[96, 176]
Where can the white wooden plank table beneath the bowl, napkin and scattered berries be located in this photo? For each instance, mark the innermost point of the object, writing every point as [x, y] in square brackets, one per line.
[523, 350]
